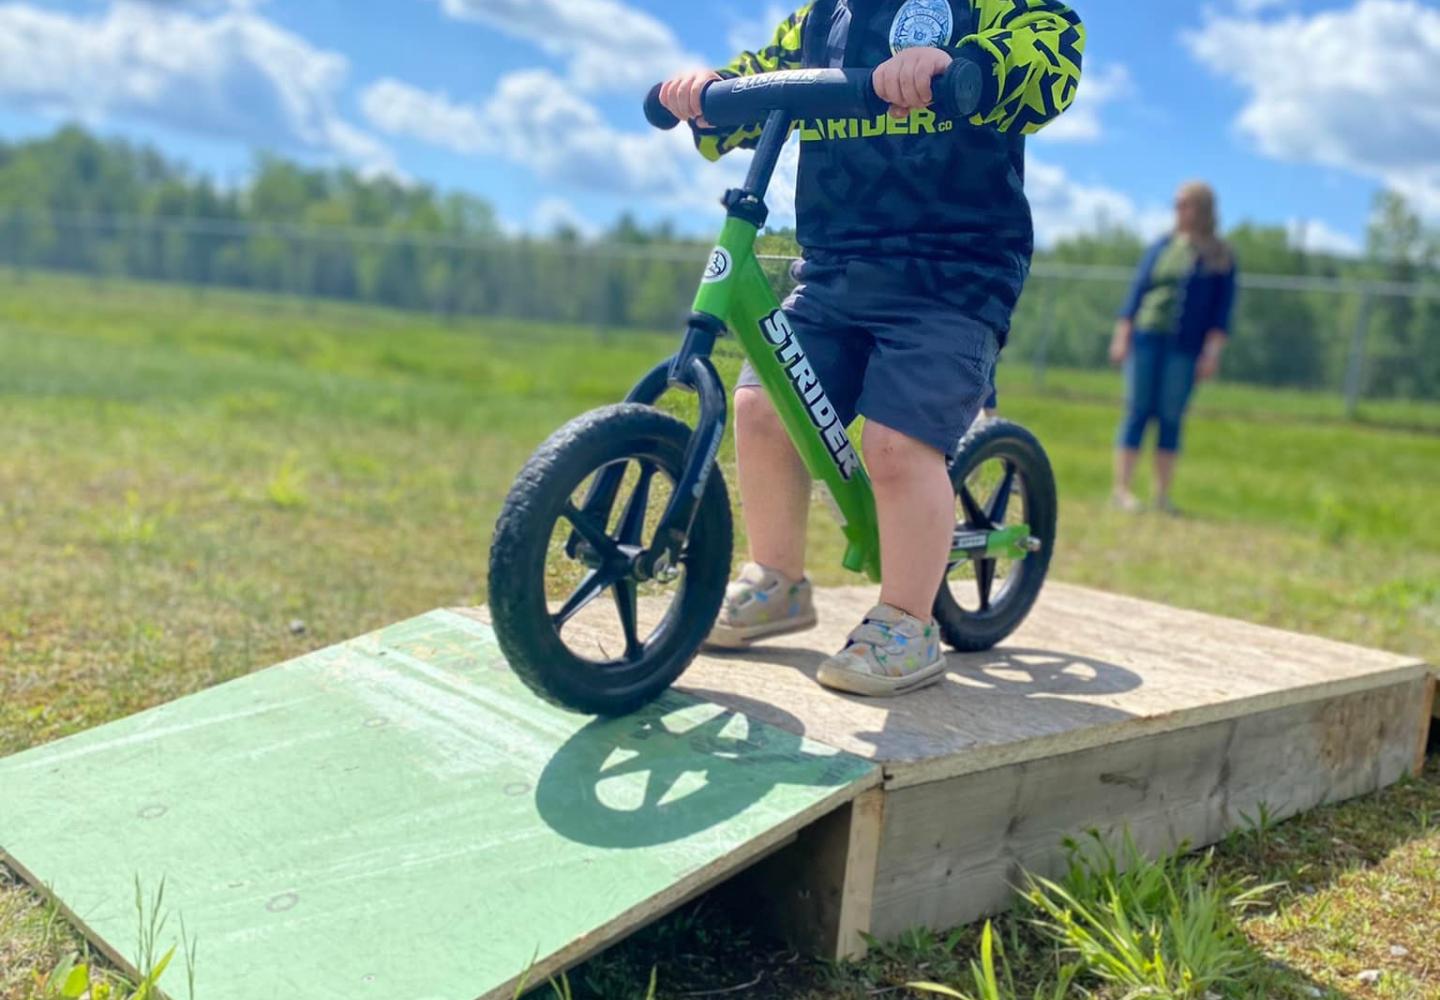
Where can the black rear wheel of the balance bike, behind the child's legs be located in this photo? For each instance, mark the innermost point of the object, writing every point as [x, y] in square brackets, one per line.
[1002, 479]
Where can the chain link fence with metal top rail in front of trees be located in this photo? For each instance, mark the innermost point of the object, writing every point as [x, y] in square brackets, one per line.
[1363, 339]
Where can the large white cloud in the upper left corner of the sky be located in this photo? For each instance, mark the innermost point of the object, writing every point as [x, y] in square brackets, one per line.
[234, 76]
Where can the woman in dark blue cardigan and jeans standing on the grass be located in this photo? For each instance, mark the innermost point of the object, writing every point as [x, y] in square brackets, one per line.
[1171, 332]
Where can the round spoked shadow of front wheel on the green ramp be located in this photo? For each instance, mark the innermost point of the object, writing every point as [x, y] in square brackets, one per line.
[682, 767]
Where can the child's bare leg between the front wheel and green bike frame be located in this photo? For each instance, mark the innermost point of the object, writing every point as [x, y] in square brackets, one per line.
[774, 485]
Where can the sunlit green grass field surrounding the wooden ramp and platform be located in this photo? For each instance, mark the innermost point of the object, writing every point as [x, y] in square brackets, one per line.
[194, 488]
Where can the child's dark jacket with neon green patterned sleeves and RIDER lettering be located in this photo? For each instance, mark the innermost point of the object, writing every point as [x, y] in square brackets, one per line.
[925, 188]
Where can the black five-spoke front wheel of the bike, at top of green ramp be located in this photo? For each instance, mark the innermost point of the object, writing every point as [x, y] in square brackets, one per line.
[577, 616]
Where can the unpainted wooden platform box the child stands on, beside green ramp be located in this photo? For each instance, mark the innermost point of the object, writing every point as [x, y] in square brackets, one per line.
[1104, 713]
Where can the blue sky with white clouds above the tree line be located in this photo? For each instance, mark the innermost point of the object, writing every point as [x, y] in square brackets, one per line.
[1297, 110]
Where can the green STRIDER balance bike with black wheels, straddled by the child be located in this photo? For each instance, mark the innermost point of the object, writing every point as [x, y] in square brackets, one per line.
[613, 551]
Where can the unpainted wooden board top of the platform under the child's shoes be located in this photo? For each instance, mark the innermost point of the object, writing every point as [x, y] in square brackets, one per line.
[1086, 669]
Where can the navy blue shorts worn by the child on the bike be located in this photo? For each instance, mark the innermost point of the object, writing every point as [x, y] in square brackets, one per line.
[891, 345]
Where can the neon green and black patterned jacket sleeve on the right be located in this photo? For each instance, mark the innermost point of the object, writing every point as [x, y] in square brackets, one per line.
[1032, 54]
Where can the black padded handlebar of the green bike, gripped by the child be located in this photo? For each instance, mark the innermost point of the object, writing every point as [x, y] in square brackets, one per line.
[817, 94]
